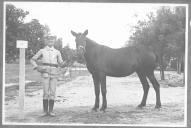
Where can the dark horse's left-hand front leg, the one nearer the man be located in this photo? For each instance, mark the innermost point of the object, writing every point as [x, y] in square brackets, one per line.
[97, 91]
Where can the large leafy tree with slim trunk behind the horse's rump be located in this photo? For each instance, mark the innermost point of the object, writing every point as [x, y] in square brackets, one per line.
[164, 33]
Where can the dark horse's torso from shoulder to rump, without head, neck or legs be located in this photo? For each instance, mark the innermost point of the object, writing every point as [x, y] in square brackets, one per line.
[119, 62]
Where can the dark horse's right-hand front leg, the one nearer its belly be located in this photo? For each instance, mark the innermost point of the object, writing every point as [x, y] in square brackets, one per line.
[103, 91]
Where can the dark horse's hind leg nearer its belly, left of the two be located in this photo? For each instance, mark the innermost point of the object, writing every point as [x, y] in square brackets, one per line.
[145, 85]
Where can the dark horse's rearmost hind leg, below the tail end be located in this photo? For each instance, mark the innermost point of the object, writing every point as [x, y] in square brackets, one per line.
[156, 87]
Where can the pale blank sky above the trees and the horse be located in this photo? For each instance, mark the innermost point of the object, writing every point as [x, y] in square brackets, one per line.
[107, 23]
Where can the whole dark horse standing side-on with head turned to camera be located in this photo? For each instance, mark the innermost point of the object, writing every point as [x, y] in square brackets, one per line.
[102, 61]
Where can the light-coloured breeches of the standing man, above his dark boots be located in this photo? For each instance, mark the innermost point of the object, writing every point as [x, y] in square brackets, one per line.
[49, 88]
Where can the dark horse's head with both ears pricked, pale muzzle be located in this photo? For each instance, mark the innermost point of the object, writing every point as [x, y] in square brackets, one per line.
[80, 40]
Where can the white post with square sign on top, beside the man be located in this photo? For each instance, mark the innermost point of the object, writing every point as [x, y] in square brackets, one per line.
[21, 45]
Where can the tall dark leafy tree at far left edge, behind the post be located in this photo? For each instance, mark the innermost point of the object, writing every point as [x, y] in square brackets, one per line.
[14, 19]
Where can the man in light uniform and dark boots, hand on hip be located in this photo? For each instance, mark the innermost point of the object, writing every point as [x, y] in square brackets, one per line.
[51, 59]
